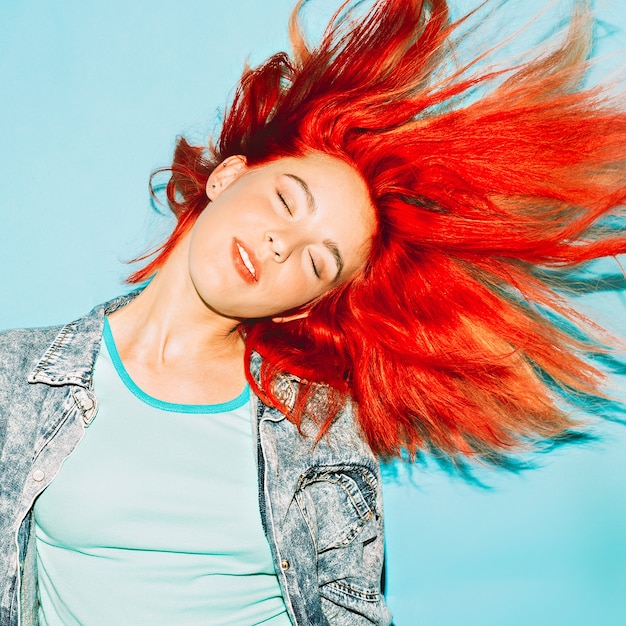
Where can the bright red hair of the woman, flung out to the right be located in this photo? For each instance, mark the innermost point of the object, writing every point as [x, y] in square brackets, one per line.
[451, 339]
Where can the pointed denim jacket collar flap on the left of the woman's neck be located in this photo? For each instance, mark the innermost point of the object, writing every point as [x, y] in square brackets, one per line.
[71, 357]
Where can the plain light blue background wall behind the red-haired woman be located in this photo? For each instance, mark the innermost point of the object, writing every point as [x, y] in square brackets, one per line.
[93, 94]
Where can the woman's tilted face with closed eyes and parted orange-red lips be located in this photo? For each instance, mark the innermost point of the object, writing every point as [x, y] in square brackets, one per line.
[279, 235]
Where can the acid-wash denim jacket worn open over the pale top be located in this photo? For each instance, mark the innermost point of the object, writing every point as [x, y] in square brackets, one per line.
[320, 503]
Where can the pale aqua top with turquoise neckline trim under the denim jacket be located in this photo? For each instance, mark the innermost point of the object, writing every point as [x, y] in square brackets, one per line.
[154, 518]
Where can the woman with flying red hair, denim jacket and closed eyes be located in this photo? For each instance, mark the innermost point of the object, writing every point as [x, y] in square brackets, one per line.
[360, 241]
